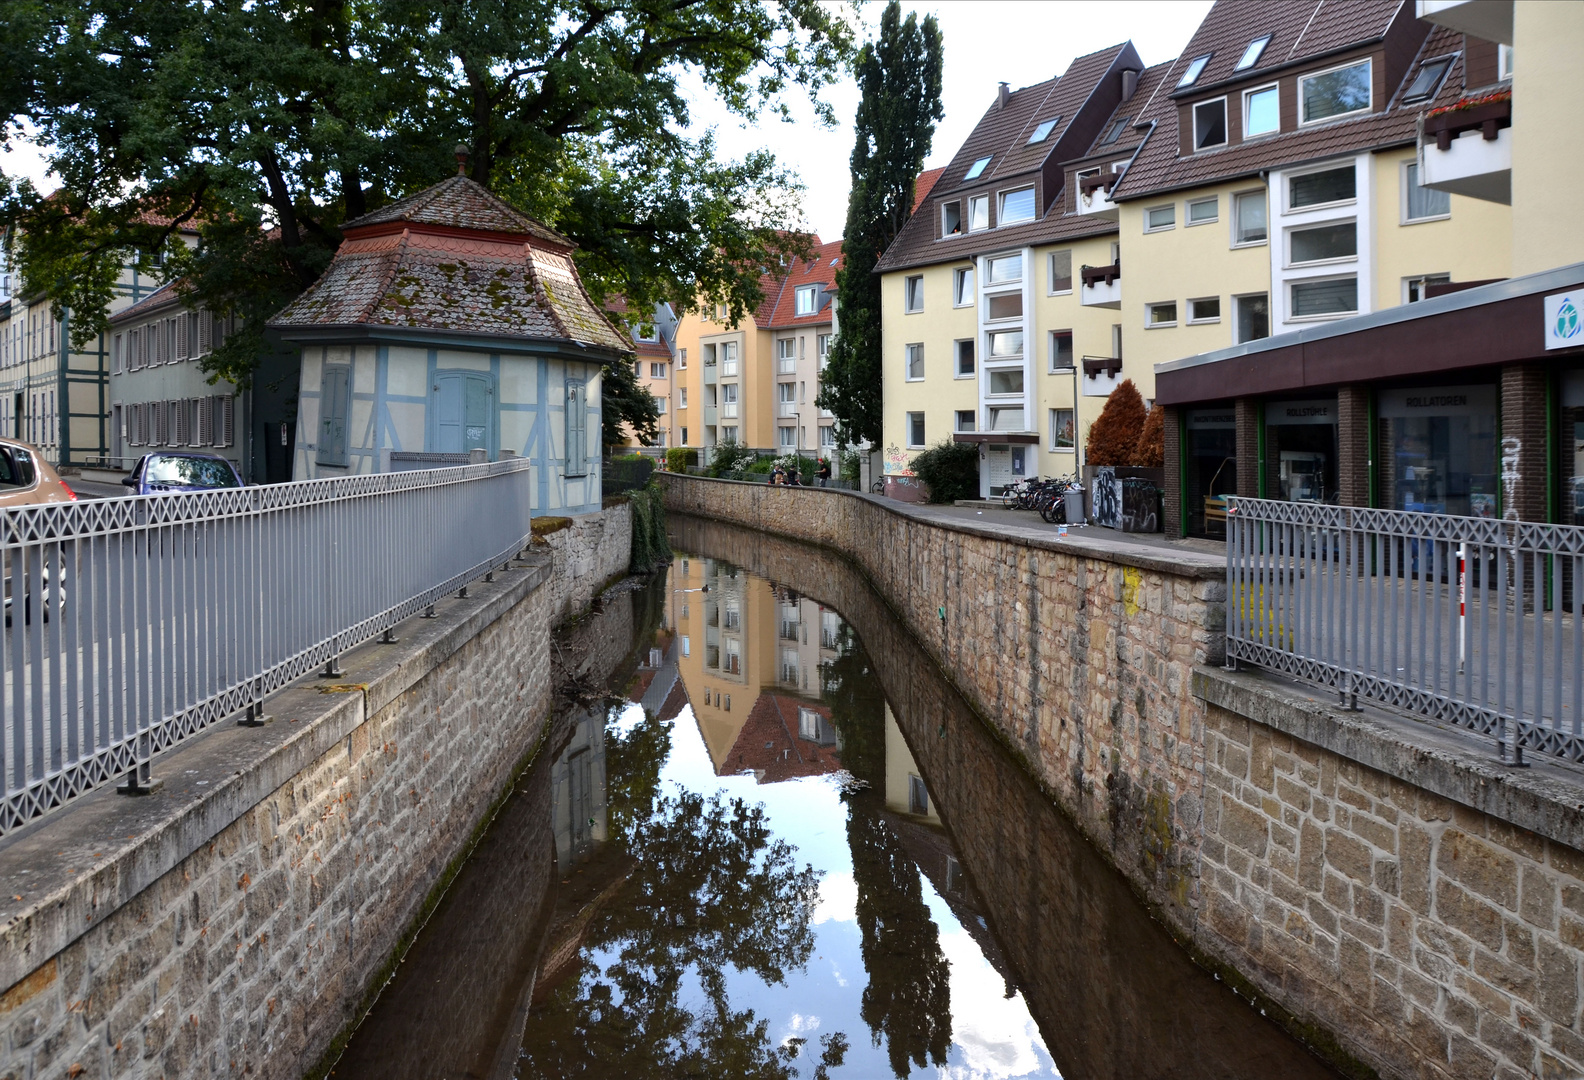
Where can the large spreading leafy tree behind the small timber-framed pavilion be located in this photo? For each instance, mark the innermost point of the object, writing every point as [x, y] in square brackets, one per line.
[267, 124]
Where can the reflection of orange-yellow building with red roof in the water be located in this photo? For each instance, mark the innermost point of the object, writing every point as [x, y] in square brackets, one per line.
[748, 655]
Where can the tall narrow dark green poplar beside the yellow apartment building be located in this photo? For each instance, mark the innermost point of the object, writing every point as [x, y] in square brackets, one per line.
[901, 80]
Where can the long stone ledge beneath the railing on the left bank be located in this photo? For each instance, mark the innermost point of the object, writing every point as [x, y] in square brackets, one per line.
[89, 859]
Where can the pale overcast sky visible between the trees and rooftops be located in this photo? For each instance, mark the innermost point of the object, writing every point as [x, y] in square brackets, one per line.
[988, 42]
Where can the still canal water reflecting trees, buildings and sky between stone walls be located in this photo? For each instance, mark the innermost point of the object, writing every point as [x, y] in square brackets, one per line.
[767, 840]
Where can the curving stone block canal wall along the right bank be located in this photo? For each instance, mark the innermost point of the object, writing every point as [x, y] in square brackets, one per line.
[1401, 900]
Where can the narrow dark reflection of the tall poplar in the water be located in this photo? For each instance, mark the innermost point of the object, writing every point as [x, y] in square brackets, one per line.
[908, 998]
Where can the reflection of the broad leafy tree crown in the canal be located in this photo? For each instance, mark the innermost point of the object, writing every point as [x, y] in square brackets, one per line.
[710, 889]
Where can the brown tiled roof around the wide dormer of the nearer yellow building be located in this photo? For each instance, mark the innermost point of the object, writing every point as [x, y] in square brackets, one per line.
[1162, 169]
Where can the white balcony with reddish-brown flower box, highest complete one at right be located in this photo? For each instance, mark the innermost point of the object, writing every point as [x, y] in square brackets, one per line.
[1468, 148]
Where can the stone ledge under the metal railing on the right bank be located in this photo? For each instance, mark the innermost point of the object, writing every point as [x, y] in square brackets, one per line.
[1547, 799]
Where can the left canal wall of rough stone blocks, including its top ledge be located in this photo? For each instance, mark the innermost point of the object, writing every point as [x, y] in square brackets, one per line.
[242, 919]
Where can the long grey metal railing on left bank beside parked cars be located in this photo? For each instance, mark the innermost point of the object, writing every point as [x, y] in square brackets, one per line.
[137, 623]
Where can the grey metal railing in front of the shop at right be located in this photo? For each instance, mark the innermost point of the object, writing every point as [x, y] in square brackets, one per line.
[1471, 622]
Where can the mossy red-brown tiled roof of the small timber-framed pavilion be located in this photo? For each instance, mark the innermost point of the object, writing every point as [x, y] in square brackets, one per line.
[432, 275]
